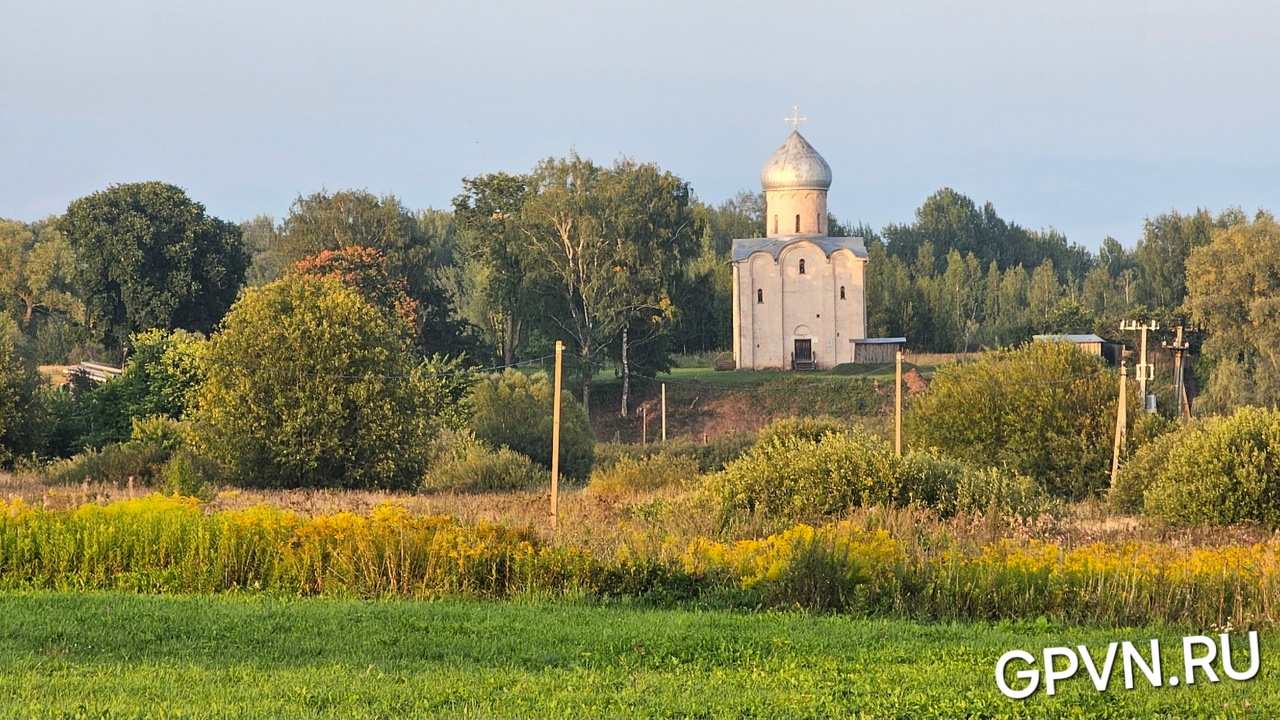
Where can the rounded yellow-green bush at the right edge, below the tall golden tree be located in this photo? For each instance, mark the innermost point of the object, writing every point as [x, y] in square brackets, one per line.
[1219, 472]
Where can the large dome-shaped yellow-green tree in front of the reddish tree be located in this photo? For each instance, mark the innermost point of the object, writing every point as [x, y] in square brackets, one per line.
[308, 385]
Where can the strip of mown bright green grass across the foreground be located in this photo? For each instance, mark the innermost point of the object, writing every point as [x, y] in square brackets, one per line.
[253, 657]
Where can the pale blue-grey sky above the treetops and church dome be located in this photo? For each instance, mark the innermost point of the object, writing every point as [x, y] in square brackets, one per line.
[1086, 116]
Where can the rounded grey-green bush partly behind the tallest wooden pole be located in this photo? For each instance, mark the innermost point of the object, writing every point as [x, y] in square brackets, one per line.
[515, 411]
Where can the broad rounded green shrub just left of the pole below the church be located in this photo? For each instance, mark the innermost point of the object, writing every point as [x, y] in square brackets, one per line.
[792, 476]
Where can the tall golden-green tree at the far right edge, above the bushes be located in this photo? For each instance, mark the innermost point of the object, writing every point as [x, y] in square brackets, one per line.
[1235, 294]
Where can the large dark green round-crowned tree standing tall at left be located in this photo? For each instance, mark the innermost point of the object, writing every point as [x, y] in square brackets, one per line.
[148, 257]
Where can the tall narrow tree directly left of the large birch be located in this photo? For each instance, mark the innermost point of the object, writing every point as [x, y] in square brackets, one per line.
[499, 298]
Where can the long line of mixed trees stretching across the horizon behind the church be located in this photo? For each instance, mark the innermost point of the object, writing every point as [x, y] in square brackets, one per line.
[593, 254]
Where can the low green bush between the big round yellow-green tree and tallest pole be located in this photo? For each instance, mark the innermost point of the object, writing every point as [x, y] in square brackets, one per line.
[465, 464]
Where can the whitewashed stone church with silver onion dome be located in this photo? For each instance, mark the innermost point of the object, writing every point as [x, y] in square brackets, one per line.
[799, 297]
